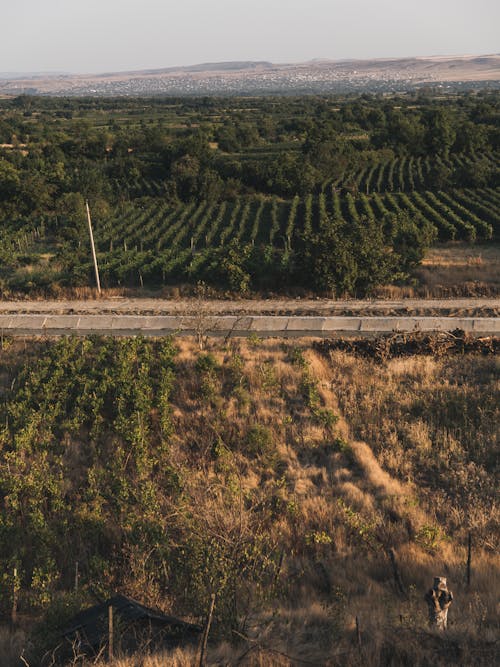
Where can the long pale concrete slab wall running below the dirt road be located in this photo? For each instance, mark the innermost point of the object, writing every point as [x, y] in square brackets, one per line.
[267, 326]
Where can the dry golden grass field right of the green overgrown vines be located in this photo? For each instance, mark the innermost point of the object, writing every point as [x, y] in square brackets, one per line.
[328, 461]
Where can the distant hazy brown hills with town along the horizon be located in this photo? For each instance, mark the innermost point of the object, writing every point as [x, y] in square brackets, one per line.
[262, 77]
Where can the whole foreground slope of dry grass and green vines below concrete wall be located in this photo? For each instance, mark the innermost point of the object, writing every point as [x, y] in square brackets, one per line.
[289, 476]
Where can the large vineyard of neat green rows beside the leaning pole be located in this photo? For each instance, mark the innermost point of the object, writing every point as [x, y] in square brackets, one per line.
[153, 242]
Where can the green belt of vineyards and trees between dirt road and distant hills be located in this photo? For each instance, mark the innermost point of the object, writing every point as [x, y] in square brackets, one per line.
[336, 196]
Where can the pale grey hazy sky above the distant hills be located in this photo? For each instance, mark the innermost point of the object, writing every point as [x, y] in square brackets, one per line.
[104, 35]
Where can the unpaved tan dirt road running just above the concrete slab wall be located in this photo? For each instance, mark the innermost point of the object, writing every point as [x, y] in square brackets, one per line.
[477, 307]
